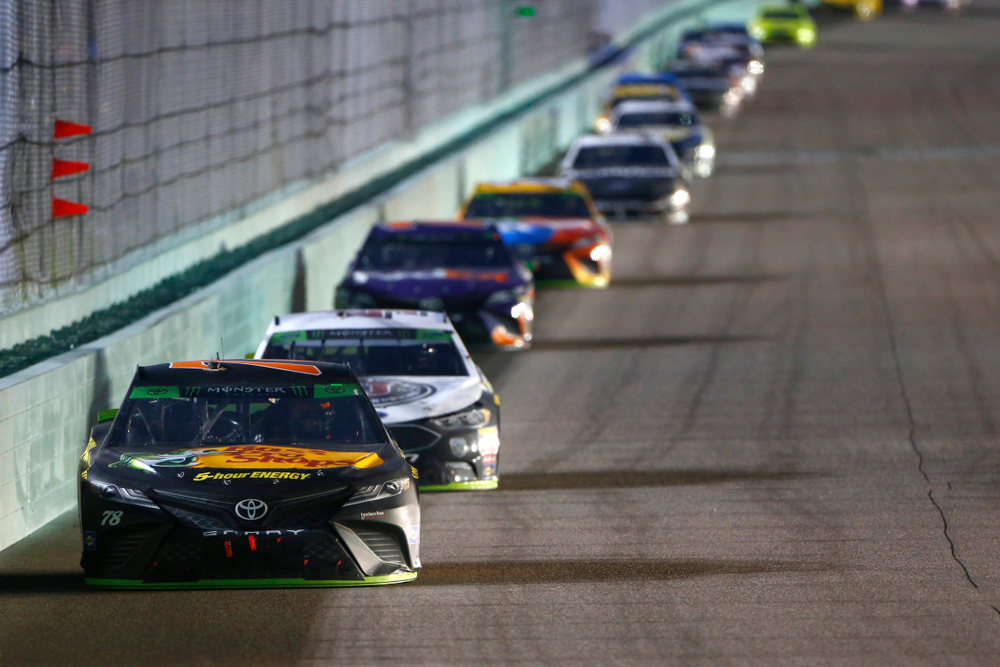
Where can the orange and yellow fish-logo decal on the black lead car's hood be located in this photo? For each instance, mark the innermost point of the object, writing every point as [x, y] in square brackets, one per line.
[264, 457]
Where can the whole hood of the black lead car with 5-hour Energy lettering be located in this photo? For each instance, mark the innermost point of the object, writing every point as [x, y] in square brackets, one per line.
[267, 470]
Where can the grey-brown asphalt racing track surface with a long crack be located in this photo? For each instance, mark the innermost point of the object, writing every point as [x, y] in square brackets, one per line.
[773, 441]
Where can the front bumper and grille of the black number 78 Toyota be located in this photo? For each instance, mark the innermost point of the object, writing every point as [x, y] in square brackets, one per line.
[188, 543]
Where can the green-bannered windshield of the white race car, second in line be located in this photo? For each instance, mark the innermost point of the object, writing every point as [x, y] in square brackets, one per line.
[376, 352]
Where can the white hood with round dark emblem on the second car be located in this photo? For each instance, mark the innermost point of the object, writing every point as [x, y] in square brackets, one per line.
[401, 399]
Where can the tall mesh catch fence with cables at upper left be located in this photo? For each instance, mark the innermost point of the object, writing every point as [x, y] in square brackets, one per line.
[202, 108]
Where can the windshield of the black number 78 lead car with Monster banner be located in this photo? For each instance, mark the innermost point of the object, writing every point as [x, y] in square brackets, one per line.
[320, 416]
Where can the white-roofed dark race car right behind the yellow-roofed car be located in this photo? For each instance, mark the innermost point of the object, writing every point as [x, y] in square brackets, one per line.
[630, 173]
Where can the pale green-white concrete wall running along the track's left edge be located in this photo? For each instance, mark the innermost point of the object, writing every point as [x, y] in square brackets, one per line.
[46, 411]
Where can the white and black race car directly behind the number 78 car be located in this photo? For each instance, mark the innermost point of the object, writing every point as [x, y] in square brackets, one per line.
[438, 405]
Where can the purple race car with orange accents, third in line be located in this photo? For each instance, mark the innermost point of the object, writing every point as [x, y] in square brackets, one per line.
[461, 268]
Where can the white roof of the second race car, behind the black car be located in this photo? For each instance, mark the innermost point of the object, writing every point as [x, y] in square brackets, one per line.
[361, 319]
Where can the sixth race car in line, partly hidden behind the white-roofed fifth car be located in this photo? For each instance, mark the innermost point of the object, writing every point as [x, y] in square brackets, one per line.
[678, 123]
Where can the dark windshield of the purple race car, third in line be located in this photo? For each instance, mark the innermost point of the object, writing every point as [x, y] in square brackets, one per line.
[414, 252]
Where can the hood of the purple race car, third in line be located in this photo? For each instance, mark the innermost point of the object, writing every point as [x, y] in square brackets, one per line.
[439, 283]
